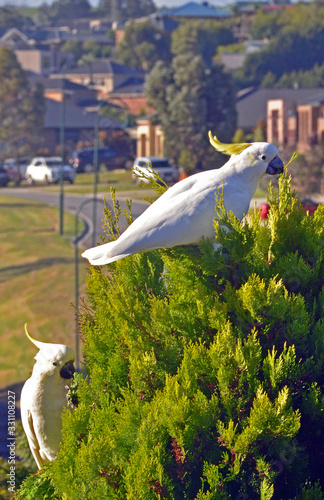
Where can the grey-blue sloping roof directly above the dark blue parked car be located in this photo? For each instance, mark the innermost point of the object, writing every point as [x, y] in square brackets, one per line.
[75, 118]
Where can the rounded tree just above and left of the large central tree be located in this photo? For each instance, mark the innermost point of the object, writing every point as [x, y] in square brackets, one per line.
[143, 45]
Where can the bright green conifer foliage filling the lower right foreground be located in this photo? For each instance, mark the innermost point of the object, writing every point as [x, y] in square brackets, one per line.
[205, 369]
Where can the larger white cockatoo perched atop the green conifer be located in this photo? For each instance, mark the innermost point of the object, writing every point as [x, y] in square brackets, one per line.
[185, 212]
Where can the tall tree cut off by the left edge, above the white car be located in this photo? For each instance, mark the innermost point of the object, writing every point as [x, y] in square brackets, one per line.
[22, 110]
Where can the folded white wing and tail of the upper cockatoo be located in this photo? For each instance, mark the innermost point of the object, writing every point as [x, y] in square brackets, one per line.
[182, 215]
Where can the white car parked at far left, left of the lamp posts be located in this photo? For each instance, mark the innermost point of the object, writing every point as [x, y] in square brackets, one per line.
[49, 169]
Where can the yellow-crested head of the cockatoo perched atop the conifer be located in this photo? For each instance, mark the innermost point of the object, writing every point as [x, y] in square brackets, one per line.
[260, 157]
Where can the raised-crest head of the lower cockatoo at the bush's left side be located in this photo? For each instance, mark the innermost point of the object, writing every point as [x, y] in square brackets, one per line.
[53, 359]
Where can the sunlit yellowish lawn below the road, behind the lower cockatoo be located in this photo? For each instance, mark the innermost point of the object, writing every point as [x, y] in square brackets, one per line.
[37, 281]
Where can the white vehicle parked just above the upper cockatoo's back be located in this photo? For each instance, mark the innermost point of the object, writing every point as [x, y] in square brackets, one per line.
[162, 166]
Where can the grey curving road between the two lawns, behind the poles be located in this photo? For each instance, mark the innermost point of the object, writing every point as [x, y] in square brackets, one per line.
[73, 203]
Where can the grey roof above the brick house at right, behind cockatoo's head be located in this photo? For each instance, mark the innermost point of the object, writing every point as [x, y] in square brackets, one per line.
[252, 106]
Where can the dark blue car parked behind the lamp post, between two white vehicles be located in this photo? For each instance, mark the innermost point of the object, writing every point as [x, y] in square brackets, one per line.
[83, 159]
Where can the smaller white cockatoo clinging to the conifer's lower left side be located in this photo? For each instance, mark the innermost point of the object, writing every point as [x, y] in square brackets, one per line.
[43, 398]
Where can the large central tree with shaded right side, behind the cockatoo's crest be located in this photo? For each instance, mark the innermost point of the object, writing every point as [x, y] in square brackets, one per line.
[190, 99]
